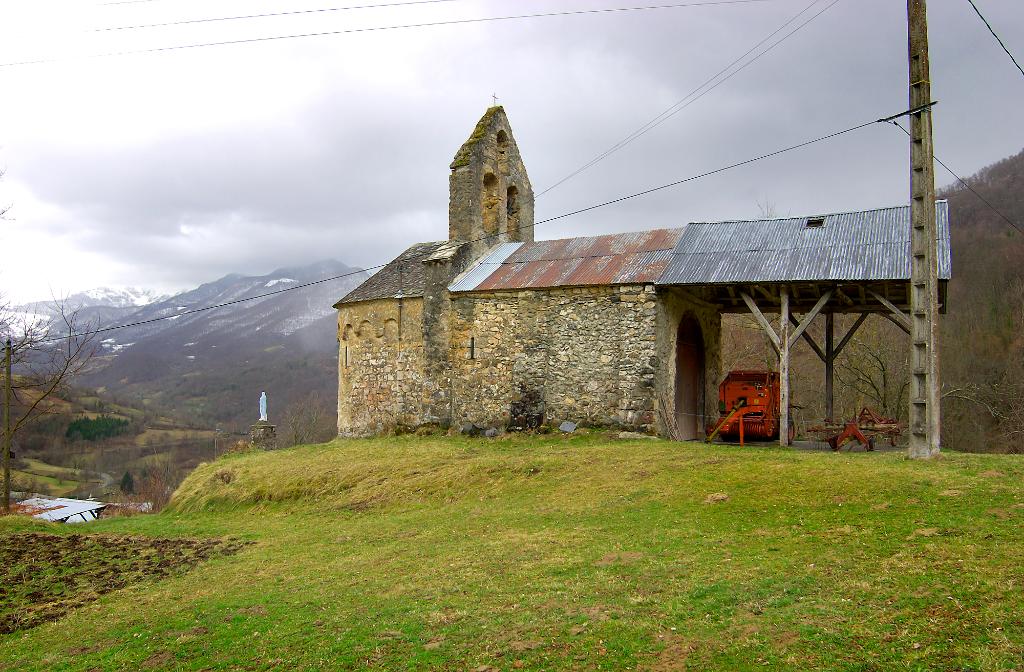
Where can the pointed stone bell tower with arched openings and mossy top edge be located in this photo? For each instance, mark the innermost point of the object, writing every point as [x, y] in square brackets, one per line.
[491, 200]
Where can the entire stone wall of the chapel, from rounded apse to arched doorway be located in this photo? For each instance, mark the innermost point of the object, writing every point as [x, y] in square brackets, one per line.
[596, 356]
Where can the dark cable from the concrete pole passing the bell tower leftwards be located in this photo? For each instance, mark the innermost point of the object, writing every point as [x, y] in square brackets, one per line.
[486, 238]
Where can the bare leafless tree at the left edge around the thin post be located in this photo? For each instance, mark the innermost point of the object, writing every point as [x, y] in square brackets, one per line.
[46, 358]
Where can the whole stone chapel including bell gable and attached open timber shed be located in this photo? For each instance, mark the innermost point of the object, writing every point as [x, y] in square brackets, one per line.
[495, 328]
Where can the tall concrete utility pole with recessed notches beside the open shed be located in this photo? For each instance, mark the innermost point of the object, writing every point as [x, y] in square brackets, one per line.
[925, 411]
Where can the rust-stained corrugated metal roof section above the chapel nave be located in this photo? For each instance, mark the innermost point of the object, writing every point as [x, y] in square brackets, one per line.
[616, 260]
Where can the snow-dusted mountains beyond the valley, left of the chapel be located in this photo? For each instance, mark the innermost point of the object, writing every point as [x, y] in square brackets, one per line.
[208, 365]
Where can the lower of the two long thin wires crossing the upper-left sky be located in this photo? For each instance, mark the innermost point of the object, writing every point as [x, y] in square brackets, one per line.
[375, 29]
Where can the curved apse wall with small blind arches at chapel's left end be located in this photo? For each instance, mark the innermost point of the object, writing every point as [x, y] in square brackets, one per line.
[380, 366]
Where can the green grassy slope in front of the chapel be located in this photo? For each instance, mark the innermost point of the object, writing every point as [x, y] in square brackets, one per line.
[567, 554]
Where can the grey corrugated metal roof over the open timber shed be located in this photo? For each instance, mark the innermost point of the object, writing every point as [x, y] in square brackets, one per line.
[850, 246]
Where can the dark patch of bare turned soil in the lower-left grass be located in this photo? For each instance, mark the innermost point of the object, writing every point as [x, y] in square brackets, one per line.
[44, 577]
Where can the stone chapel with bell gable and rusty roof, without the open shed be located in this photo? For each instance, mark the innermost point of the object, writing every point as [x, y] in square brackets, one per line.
[494, 328]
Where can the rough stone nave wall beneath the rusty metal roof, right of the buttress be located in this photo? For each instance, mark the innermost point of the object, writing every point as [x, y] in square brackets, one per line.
[586, 355]
